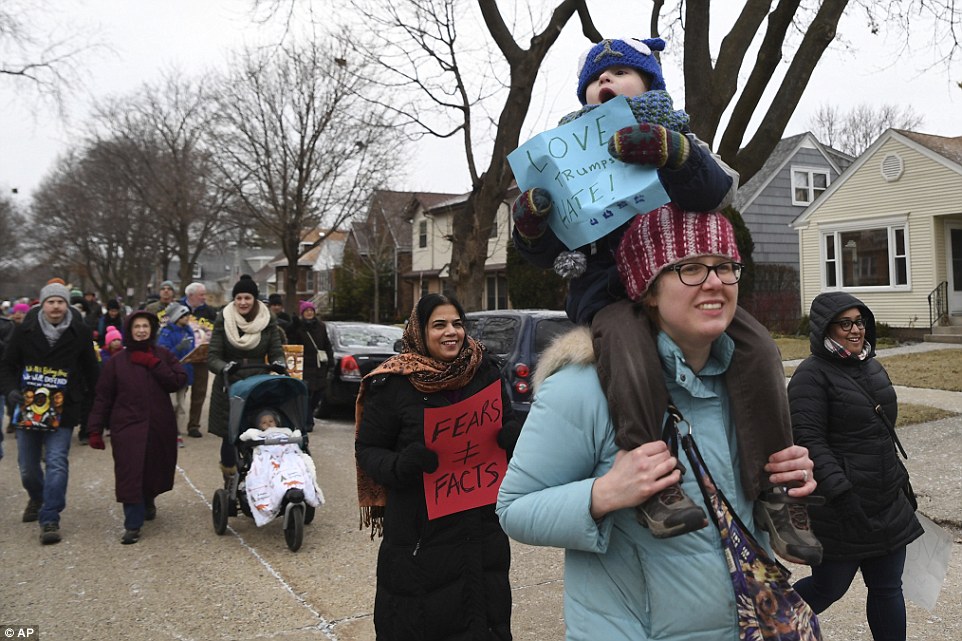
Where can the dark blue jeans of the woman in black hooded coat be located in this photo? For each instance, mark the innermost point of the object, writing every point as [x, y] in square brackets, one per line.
[885, 606]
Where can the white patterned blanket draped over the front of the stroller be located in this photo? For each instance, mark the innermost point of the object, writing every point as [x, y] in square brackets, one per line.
[275, 469]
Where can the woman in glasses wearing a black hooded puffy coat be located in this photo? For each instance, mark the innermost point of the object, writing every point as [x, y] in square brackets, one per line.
[868, 519]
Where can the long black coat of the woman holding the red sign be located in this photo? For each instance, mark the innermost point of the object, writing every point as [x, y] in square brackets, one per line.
[442, 579]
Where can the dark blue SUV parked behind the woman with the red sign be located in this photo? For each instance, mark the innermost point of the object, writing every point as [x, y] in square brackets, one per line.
[517, 336]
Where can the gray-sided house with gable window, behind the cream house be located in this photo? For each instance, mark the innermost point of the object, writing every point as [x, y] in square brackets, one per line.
[799, 169]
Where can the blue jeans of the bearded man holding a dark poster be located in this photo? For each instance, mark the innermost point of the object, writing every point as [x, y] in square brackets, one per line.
[46, 484]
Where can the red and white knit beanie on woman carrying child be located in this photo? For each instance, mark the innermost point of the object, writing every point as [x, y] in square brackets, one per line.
[666, 236]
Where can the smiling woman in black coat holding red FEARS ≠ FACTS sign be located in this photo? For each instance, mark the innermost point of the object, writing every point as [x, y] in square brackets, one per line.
[446, 577]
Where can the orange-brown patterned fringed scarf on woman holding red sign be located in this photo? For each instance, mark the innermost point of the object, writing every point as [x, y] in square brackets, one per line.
[427, 375]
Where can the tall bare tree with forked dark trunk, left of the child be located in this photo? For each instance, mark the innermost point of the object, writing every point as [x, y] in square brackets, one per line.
[417, 43]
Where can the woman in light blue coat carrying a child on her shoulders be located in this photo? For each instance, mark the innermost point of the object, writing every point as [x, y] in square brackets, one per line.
[570, 484]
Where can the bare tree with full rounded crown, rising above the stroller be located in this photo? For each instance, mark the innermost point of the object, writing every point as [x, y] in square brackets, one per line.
[297, 144]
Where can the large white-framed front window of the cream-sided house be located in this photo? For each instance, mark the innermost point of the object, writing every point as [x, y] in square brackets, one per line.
[873, 257]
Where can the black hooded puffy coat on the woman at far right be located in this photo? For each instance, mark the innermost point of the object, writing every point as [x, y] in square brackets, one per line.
[849, 443]
